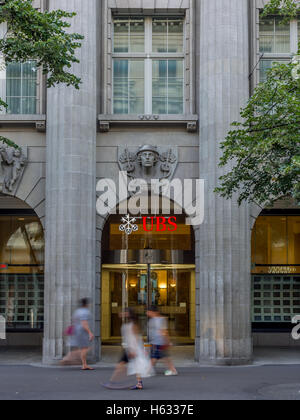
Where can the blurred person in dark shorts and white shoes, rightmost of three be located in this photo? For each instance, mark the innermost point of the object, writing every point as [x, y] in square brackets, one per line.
[160, 340]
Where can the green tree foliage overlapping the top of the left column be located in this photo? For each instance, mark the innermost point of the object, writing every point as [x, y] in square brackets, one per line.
[40, 36]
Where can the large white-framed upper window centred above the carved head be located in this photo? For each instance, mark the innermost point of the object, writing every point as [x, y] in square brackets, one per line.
[148, 66]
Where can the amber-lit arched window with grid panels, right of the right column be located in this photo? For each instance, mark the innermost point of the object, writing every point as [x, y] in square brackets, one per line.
[275, 276]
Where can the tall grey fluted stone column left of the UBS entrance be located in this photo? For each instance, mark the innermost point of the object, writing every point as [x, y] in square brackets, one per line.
[71, 184]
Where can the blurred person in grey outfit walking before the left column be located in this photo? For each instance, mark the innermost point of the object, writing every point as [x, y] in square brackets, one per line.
[81, 335]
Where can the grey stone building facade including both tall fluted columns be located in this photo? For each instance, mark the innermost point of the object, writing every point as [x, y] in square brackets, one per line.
[74, 140]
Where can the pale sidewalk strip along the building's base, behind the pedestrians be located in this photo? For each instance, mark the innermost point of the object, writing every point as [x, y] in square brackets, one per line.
[183, 356]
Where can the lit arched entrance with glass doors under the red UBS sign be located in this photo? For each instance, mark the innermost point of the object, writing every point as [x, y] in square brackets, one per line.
[148, 267]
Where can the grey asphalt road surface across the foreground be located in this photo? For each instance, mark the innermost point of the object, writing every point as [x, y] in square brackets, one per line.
[232, 383]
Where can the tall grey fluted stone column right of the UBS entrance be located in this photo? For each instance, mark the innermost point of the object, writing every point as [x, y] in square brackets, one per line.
[224, 335]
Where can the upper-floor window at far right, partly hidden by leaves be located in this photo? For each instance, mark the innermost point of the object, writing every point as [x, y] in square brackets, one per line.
[278, 41]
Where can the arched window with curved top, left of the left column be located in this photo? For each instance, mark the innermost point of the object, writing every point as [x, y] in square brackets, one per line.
[21, 273]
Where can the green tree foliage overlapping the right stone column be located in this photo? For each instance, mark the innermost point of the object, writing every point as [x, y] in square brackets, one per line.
[262, 151]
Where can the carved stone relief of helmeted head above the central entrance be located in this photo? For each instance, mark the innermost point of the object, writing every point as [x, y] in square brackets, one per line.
[148, 162]
